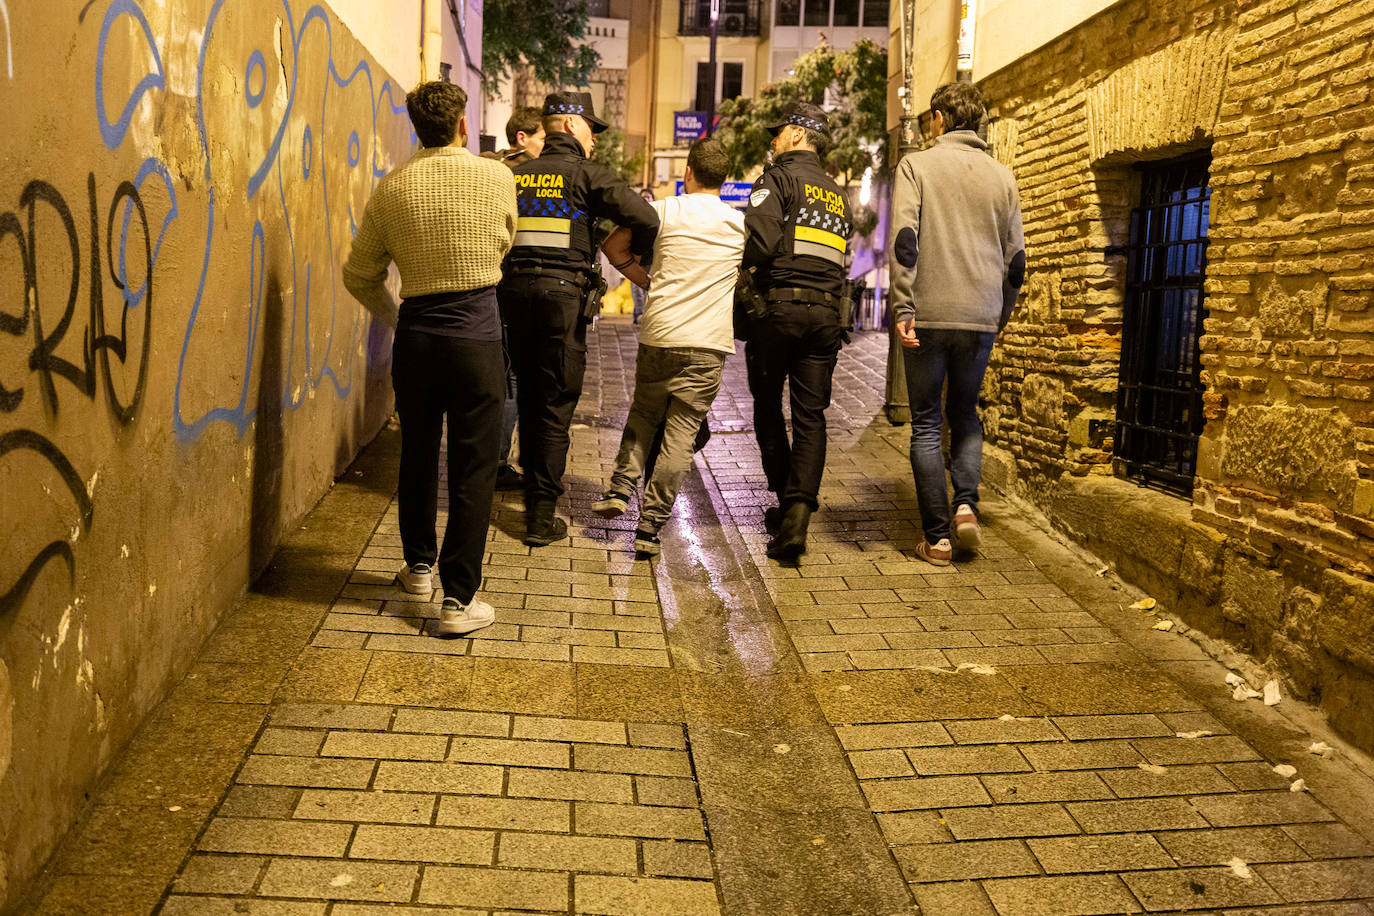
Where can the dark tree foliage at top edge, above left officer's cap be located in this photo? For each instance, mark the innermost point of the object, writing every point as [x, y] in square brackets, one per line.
[541, 35]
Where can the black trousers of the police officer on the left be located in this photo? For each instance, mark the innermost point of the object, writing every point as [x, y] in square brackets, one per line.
[548, 341]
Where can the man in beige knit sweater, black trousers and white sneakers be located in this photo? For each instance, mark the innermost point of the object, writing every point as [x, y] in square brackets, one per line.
[447, 219]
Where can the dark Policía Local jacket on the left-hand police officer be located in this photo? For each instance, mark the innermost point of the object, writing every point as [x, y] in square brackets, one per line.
[563, 196]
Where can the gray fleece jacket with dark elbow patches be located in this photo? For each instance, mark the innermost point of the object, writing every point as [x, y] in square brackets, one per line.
[958, 251]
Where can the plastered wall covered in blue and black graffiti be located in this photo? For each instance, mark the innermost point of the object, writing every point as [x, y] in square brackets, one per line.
[182, 373]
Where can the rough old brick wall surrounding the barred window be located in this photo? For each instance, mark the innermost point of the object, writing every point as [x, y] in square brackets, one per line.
[1276, 551]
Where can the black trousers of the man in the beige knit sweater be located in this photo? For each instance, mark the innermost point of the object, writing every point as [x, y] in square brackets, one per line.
[465, 381]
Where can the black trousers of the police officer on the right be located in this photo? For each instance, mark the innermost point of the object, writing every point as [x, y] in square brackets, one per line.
[798, 344]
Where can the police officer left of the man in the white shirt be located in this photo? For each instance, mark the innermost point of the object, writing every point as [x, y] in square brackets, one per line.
[549, 295]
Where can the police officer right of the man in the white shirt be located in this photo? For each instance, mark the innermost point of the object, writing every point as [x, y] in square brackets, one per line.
[796, 240]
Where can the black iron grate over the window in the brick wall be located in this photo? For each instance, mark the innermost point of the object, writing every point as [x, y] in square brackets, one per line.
[1160, 396]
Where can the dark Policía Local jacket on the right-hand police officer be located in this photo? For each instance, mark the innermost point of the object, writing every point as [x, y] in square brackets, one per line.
[798, 227]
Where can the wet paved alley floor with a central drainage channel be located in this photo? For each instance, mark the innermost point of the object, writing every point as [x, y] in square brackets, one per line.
[712, 733]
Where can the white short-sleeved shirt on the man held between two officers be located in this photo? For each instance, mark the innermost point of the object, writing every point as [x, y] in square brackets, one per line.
[692, 289]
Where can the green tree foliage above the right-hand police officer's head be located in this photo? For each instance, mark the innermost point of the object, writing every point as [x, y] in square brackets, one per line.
[857, 83]
